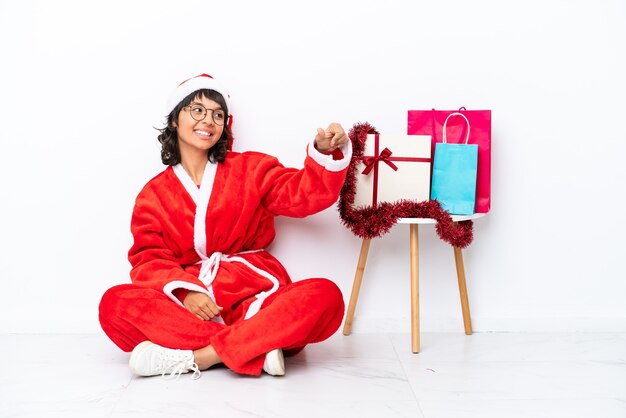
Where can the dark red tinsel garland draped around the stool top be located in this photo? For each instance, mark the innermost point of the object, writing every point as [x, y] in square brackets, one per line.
[370, 222]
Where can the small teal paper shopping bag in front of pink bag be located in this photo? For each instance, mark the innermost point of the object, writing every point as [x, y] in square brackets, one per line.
[454, 174]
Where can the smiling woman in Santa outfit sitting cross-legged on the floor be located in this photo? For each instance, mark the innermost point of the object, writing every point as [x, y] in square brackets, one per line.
[204, 289]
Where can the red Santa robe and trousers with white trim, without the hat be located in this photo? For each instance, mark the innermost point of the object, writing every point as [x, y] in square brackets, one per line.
[212, 239]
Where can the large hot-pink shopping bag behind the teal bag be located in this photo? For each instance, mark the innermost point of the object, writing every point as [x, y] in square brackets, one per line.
[430, 122]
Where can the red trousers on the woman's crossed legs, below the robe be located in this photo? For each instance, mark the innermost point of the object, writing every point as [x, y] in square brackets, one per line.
[298, 314]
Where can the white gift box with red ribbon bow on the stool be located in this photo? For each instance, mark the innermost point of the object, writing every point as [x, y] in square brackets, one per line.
[392, 168]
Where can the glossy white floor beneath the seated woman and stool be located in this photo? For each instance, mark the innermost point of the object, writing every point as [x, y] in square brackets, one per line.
[485, 375]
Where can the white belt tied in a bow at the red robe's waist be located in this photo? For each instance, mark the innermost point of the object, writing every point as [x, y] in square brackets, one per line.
[211, 265]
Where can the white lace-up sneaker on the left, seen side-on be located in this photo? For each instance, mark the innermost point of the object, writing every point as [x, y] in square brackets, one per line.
[150, 359]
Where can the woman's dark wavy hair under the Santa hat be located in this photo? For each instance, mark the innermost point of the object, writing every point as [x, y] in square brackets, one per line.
[170, 152]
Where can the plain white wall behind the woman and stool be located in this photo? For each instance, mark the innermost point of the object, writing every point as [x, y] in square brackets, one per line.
[83, 84]
